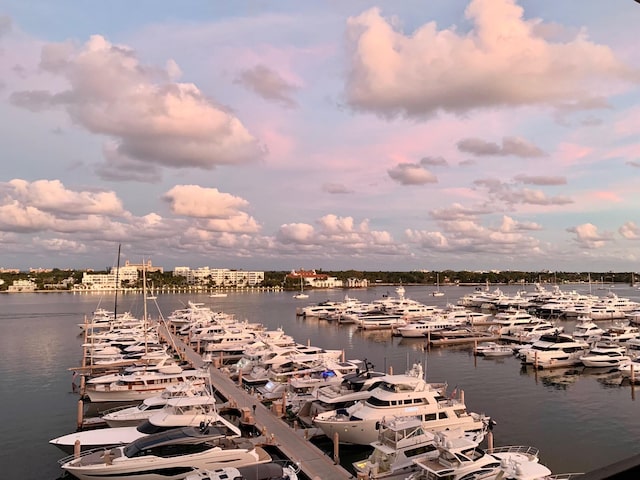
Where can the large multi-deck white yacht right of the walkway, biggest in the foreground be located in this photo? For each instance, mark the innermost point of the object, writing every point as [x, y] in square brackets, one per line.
[398, 396]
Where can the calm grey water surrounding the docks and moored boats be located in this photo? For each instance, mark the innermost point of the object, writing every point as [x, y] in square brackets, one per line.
[578, 419]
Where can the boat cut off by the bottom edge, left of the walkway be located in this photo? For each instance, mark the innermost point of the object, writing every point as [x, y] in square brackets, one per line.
[261, 471]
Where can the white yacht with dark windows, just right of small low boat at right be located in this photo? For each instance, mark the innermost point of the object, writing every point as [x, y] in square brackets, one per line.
[552, 351]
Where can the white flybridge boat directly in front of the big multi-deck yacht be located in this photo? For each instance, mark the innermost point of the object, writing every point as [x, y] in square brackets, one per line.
[399, 443]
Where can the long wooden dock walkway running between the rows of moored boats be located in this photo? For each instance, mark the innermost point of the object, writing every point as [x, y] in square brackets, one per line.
[313, 462]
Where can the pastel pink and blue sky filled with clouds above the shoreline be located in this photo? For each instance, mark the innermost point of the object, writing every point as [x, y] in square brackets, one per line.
[389, 135]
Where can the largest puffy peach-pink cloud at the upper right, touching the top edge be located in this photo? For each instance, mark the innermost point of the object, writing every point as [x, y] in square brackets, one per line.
[504, 60]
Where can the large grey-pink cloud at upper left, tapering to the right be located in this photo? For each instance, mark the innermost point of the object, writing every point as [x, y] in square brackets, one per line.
[150, 119]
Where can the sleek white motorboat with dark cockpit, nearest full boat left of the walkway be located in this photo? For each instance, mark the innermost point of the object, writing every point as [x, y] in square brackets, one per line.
[169, 455]
